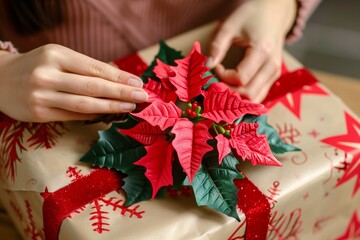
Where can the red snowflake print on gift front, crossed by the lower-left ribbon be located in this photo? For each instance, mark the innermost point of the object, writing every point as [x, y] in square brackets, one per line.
[99, 215]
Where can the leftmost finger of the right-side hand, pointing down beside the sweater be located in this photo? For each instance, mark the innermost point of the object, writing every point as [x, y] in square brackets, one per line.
[220, 45]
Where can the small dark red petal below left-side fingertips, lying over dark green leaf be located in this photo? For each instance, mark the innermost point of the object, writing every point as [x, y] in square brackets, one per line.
[144, 133]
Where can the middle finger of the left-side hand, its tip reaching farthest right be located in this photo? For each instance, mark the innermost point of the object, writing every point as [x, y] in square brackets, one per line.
[97, 87]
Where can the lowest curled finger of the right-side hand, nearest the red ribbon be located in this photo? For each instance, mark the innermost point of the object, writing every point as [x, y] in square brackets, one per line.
[257, 89]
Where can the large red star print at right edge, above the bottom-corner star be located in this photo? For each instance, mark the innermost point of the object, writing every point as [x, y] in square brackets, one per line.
[349, 143]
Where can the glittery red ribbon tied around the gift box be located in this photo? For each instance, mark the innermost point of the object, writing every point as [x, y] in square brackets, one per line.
[60, 204]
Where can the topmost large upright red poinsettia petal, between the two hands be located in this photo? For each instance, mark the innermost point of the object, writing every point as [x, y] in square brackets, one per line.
[189, 75]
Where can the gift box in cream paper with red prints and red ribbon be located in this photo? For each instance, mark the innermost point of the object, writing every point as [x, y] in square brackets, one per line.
[313, 196]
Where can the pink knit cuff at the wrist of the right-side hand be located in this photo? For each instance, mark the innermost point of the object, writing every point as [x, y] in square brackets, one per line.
[304, 11]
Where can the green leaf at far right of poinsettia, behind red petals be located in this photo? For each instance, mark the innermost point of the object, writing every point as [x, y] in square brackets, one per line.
[276, 144]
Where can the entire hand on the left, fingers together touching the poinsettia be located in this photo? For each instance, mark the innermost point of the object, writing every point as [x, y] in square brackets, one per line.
[54, 83]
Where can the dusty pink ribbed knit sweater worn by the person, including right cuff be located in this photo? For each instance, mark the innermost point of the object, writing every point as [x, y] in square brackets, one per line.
[108, 29]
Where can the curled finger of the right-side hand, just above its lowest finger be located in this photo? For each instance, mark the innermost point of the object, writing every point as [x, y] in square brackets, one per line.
[253, 60]
